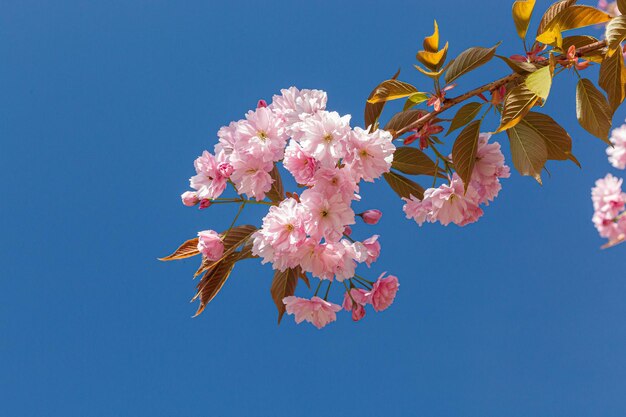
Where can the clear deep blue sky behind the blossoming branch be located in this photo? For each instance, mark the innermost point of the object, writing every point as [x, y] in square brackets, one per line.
[103, 108]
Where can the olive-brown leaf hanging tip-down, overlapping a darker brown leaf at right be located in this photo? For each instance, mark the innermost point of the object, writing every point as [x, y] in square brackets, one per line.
[528, 150]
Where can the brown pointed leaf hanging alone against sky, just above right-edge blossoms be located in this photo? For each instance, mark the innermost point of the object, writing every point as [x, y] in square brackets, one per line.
[592, 110]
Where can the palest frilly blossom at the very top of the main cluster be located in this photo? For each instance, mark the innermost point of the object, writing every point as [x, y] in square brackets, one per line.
[293, 105]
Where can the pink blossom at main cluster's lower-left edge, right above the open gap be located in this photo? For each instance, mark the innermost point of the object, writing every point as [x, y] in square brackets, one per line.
[251, 175]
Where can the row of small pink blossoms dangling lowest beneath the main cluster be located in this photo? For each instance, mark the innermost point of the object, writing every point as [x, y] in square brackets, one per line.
[320, 312]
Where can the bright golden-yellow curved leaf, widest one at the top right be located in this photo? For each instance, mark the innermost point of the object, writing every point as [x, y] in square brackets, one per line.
[572, 17]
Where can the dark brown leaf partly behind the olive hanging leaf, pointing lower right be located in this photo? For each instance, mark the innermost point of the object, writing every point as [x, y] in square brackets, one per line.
[558, 141]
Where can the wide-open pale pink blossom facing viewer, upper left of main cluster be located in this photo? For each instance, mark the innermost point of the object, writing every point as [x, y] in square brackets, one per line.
[262, 135]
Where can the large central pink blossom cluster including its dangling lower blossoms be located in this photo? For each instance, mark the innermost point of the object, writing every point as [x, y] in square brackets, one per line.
[310, 231]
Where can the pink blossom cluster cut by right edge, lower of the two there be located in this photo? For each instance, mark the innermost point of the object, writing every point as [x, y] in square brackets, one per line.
[608, 203]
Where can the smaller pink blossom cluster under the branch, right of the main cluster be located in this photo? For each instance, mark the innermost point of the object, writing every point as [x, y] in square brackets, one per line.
[450, 203]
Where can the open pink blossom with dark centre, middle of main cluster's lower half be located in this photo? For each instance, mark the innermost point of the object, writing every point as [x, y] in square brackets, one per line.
[327, 216]
